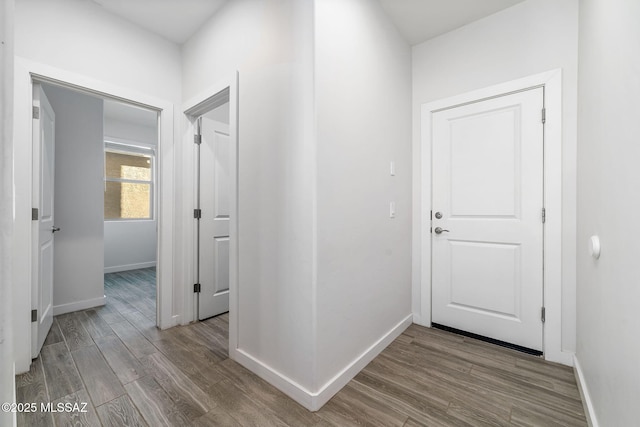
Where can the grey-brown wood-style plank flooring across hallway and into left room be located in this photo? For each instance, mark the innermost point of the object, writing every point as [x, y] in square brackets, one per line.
[131, 374]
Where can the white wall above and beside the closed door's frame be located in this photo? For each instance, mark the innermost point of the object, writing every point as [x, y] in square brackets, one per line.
[526, 39]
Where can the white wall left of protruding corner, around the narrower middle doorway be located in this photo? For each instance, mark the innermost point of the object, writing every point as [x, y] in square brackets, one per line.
[270, 44]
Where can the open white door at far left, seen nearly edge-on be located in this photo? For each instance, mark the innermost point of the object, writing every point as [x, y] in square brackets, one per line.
[43, 218]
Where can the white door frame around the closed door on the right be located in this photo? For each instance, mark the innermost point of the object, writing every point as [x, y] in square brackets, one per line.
[552, 247]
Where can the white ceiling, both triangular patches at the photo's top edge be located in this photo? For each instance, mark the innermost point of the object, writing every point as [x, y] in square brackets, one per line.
[417, 20]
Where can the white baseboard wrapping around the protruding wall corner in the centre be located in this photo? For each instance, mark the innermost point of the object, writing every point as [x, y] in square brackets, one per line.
[315, 400]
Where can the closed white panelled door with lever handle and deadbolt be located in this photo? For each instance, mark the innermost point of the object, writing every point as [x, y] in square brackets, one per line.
[487, 229]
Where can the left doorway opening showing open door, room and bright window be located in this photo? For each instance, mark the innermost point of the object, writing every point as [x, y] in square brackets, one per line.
[94, 172]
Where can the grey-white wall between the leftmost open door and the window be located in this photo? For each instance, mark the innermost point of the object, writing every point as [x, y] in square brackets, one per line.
[78, 202]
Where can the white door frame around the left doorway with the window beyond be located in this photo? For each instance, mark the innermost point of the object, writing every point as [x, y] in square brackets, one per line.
[26, 73]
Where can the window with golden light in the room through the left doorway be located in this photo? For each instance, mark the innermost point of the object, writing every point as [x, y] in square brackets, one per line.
[128, 190]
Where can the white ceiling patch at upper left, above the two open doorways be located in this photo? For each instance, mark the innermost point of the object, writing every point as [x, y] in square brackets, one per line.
[175, 20]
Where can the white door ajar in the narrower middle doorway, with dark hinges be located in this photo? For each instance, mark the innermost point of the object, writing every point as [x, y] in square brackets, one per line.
[215, 164]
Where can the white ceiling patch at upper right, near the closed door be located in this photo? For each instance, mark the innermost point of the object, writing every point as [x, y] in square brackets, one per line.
[420, 20]
